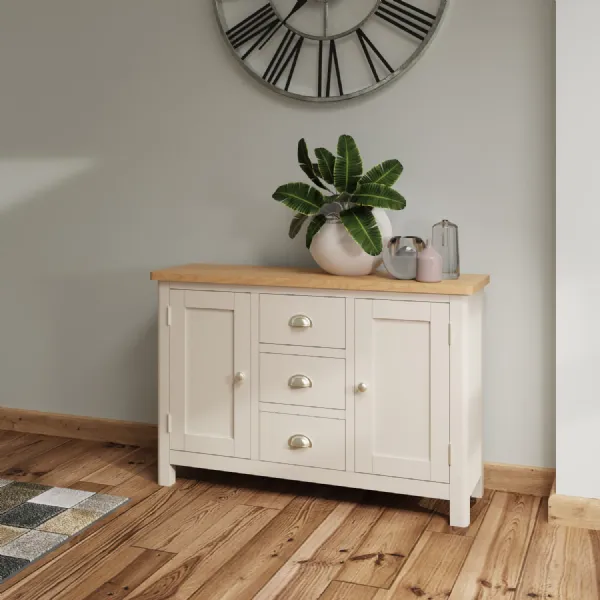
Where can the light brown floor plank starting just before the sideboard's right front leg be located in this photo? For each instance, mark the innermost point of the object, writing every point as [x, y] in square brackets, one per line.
[432, 568]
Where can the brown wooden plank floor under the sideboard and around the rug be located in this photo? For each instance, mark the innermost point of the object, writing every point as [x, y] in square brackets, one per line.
[221, 536]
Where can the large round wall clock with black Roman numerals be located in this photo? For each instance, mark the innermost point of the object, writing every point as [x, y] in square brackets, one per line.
[327, 50]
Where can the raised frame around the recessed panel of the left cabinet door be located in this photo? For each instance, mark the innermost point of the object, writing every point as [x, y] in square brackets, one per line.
[239, 304]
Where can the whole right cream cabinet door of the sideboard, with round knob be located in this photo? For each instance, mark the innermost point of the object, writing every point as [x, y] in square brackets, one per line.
[402, 408]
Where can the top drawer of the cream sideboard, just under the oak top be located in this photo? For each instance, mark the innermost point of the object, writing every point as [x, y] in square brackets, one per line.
[303, 321]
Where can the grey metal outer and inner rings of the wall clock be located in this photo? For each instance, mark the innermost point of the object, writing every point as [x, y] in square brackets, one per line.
[414, 57]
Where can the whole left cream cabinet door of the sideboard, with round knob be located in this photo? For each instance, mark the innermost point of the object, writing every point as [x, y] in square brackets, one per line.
[209, 372]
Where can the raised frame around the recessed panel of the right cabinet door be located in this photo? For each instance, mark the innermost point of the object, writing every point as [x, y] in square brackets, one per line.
[366, 459]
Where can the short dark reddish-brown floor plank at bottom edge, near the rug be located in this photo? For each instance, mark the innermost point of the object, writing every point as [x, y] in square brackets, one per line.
[131, 576]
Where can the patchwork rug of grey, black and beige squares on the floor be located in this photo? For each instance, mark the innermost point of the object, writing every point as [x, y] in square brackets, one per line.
[35, 519]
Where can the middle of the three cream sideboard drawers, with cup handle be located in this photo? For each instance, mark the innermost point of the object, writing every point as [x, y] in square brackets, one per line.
[303, 380]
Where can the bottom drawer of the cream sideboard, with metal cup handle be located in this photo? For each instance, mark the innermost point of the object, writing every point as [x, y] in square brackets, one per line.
[325, 438]
